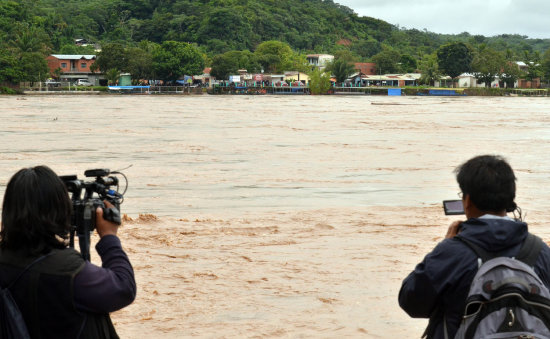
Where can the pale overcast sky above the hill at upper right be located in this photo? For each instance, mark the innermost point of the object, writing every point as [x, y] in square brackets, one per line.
[486, 17]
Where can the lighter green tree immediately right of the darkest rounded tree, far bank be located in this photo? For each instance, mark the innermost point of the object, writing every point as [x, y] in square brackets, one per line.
[487, 64]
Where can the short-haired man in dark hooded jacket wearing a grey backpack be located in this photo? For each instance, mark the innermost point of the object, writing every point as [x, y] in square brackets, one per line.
[439, 286]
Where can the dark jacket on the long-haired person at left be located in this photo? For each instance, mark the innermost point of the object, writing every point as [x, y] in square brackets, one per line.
[62, 296]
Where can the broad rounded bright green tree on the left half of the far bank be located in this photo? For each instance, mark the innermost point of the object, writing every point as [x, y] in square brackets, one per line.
[174, 59]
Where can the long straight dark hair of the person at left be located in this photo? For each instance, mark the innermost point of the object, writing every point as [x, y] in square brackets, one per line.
[36, 212]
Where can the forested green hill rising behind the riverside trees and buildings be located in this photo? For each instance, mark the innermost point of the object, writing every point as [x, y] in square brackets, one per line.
[217, 26]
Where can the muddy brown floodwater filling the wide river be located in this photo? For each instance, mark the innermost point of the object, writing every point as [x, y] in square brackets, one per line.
[278, 216]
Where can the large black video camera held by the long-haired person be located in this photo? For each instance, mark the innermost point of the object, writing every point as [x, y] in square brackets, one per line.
[86, 197]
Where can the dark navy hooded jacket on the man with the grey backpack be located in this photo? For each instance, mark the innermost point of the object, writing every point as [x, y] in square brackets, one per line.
[438, 286]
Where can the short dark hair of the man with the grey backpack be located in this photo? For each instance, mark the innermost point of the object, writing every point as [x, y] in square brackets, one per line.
[489, 181]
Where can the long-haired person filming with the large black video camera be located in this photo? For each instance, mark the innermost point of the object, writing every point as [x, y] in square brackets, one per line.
[59, 294]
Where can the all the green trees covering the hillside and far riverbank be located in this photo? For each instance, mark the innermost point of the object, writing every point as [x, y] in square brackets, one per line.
[166, 38]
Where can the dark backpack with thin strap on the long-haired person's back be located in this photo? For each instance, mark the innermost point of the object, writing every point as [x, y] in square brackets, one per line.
[12, 324]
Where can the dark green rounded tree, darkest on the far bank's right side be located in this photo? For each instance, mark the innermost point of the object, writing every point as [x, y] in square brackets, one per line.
[454, 59]
